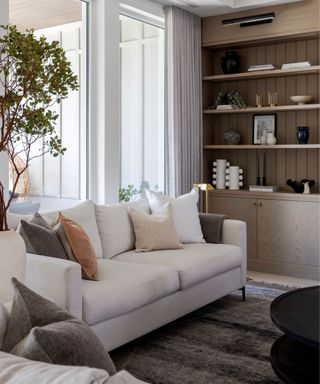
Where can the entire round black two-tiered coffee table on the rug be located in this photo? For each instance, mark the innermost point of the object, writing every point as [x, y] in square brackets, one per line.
[295, 355]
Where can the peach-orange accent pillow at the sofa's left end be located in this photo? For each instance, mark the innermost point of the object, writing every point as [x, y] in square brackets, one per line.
[81, 246]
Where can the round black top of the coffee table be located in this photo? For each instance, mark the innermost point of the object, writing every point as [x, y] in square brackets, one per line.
[296, 313]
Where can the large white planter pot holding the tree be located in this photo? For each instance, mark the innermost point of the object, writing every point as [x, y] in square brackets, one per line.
[12, 262]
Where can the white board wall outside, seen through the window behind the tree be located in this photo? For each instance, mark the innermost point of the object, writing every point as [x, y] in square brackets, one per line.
[60, 176]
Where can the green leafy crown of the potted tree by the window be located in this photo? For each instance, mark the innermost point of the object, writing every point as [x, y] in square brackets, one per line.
[35, 75]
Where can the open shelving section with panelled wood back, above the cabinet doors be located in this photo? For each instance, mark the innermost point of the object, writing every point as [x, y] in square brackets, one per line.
[286, 159]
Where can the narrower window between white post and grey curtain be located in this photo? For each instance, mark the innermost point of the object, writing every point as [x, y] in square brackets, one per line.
[142, 104]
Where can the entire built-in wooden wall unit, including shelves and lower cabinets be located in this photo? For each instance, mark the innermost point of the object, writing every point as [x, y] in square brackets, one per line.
[282, 227]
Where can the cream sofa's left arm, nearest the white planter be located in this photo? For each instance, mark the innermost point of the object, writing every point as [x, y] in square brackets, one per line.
[56, 279]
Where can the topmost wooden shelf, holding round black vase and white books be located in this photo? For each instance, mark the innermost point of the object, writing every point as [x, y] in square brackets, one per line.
[264, 74]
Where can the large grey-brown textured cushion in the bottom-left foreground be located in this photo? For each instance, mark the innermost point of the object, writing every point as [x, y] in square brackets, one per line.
[39, 329]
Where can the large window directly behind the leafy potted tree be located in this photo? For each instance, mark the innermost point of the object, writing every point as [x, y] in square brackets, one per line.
[60, 181]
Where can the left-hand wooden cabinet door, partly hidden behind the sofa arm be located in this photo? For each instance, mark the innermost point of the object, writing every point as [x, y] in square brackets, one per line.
[239, 209]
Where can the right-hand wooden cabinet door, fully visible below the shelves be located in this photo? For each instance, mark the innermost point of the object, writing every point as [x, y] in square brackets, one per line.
[288, 232]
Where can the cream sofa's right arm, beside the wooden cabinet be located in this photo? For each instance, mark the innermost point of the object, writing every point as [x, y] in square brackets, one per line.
[235, 233]
